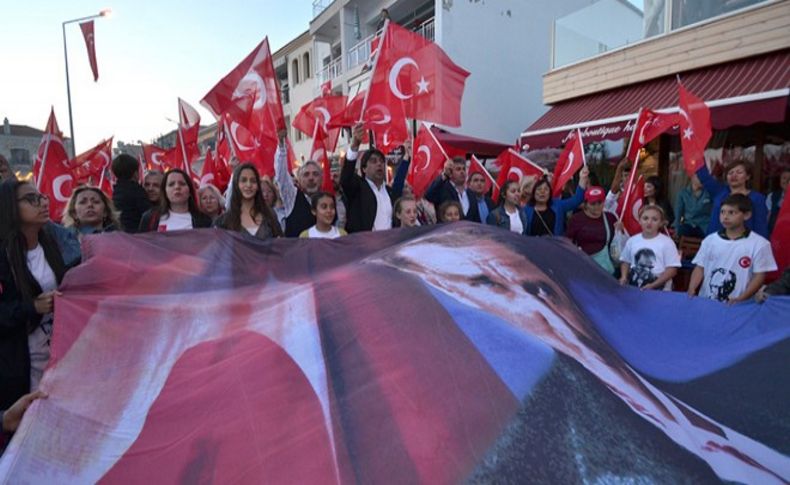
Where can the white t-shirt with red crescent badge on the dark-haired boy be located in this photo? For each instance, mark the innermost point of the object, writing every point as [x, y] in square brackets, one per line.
[730, 264]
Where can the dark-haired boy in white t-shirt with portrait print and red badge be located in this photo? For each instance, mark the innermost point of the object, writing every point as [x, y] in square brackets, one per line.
[732, 263]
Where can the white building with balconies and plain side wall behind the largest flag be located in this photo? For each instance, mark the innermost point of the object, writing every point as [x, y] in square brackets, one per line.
[505, 44]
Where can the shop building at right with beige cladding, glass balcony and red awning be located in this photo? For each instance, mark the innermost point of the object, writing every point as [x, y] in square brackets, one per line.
[734, 55]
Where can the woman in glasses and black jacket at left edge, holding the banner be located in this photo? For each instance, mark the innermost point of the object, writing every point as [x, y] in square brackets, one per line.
[31, 268]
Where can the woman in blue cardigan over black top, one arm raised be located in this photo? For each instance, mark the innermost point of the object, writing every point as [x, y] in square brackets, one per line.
[546, 215]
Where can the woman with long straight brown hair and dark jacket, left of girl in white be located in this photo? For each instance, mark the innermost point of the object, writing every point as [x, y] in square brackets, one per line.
[248, 211]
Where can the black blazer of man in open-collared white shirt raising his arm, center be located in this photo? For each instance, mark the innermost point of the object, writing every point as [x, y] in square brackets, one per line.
[361, 208]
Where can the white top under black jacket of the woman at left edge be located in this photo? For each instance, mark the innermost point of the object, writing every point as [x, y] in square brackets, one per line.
[38, 341]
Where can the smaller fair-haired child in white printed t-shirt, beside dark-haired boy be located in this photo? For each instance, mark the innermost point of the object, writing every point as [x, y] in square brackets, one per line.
[650, 260]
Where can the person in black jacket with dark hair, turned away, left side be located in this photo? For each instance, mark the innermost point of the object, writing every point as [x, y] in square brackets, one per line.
[128, 195]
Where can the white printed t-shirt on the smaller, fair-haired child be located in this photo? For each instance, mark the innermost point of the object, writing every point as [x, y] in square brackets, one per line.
[649, 258]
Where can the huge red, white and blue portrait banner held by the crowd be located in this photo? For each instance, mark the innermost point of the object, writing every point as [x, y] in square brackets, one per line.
[449, 353]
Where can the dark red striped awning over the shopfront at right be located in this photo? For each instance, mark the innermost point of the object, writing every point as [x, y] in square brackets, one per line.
[739, 93]
